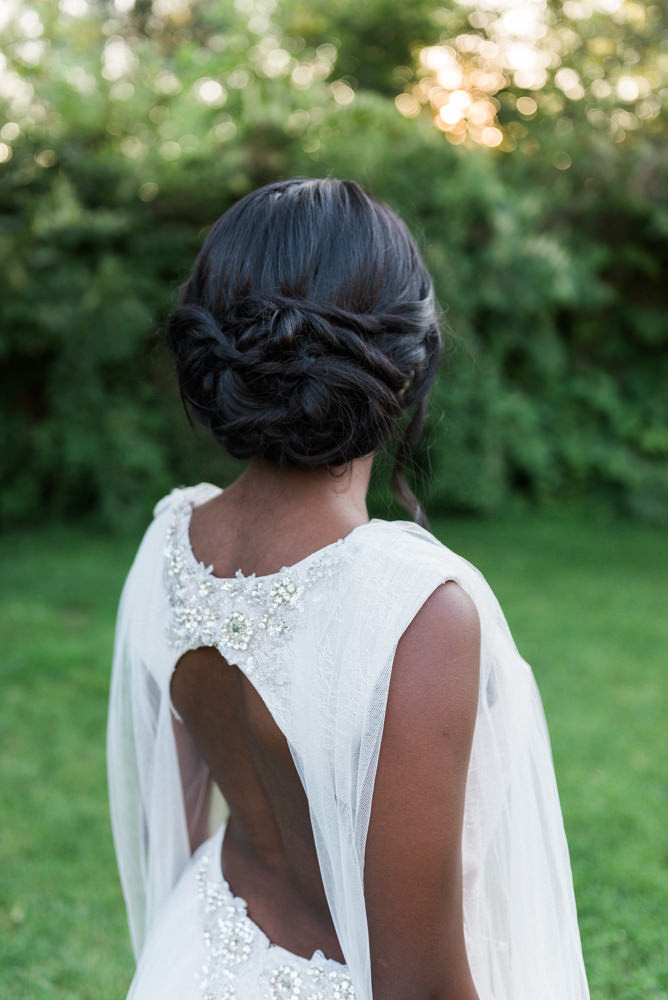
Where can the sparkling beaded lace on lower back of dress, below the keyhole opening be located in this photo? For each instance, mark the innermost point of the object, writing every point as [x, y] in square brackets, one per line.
[237, 951]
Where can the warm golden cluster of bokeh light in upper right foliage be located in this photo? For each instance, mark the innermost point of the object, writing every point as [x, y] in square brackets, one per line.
[540, 58]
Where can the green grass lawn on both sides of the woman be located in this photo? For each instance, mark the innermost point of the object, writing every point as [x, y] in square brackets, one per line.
[586, 601]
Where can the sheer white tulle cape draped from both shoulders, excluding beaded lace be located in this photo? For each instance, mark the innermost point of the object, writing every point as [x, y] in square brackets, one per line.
[520, 920]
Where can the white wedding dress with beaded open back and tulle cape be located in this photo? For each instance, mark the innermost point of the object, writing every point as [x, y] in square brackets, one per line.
[317, 641]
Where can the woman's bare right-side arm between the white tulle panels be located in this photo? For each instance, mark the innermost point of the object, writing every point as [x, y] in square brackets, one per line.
[413, 867]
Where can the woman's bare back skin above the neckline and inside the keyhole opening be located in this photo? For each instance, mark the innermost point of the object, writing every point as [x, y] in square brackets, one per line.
[269, 855]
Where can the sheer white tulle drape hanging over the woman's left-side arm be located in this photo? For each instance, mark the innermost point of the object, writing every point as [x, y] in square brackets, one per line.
[158, 784]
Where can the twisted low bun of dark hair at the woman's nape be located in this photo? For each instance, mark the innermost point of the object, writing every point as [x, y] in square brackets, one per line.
[288, 379]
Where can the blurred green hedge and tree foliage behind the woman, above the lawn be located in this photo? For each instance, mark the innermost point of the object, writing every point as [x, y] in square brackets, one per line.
[131, 127]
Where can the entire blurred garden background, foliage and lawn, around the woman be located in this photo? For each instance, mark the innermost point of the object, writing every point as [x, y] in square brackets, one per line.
[524, 142]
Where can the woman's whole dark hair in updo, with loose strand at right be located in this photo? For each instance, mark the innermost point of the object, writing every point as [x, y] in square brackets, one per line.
[307, 328]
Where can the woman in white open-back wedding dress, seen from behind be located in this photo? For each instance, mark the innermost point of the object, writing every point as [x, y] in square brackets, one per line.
[394, 827]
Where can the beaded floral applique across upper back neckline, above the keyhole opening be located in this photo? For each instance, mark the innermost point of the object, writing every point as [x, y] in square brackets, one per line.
[242, 615]
